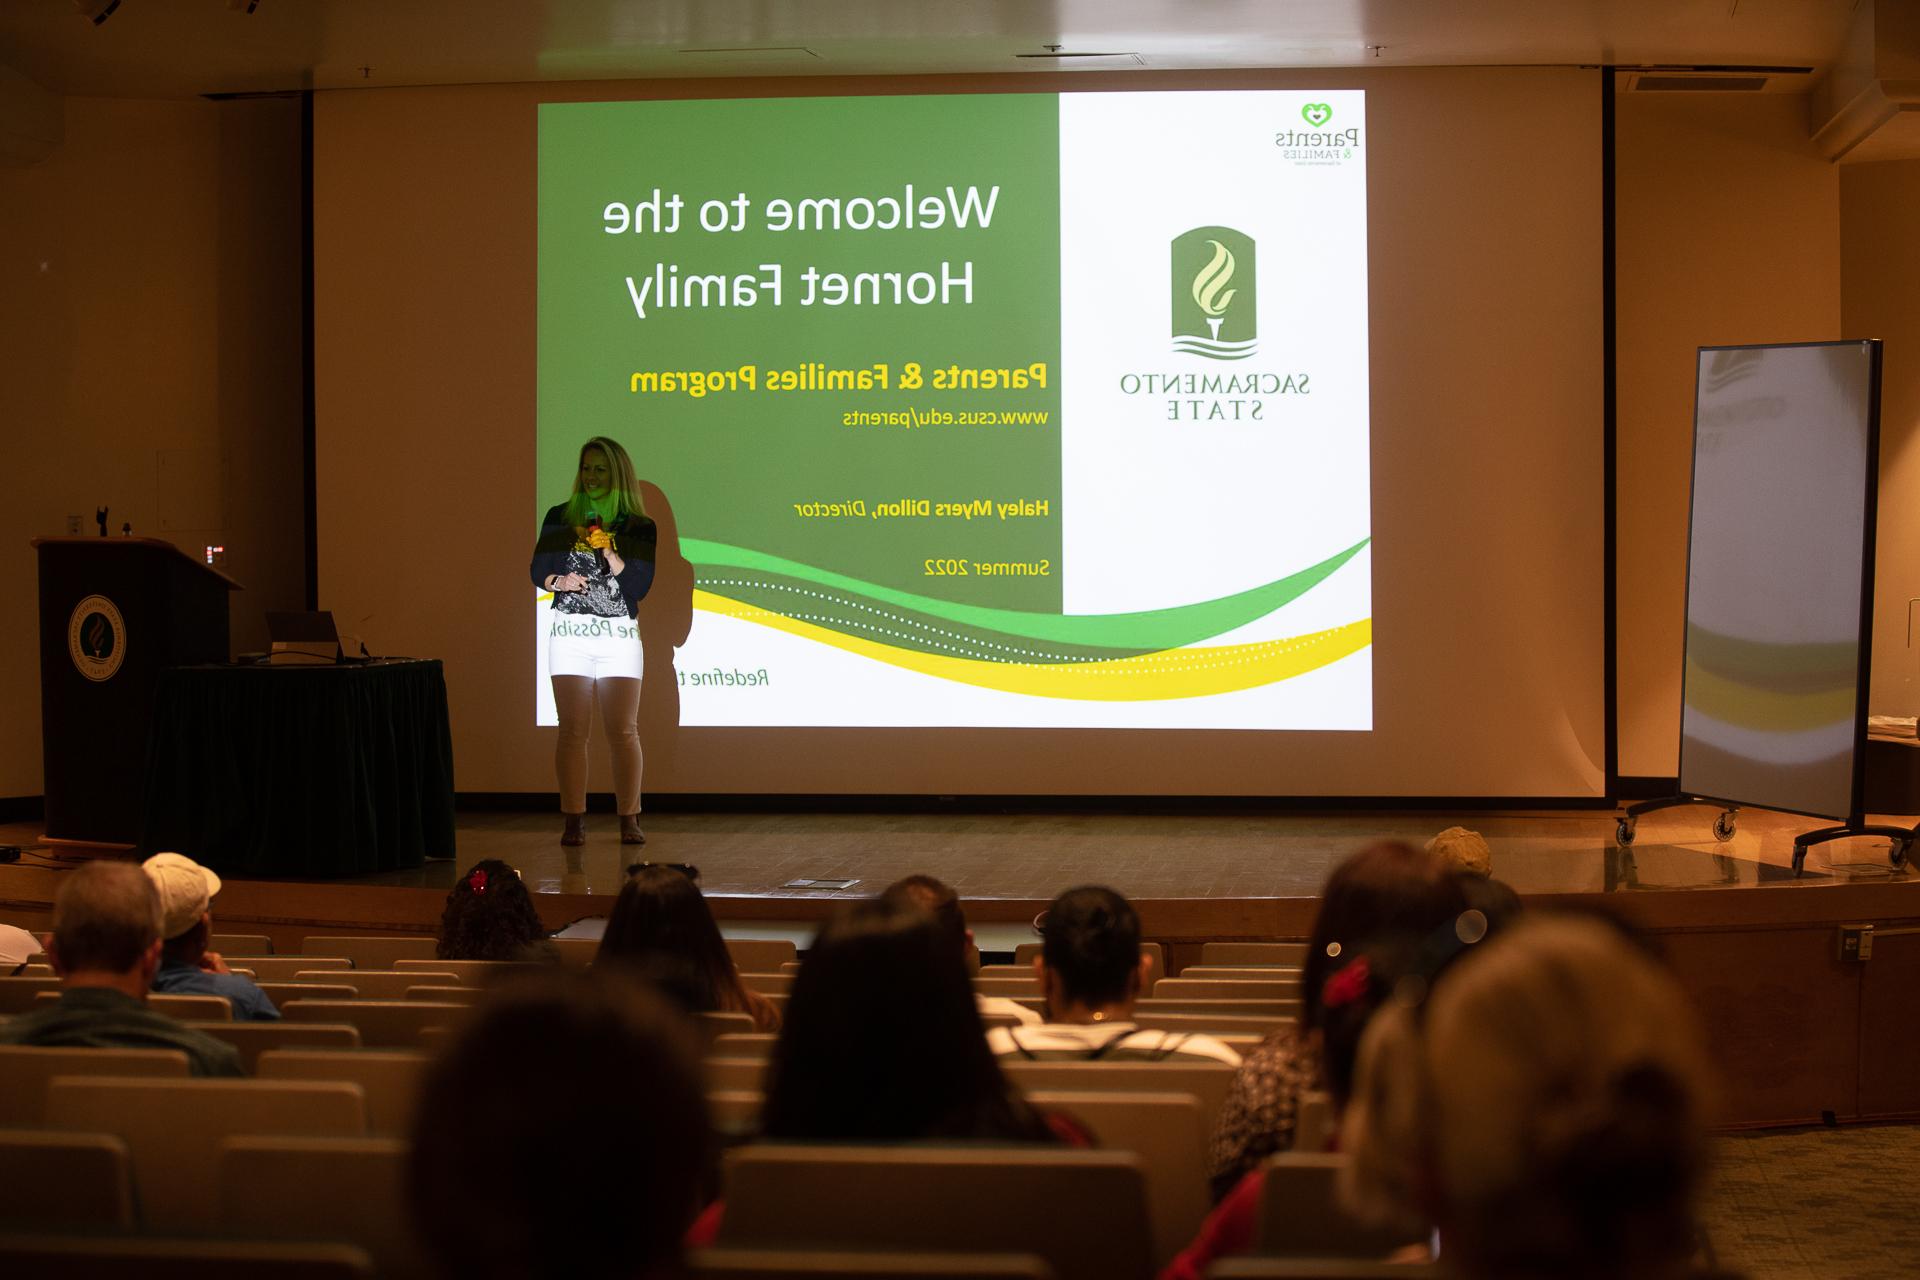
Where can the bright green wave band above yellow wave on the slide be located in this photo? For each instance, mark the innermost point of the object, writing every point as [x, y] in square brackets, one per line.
[1159, 628]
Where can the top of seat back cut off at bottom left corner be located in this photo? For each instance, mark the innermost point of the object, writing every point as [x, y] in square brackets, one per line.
[147, 1258]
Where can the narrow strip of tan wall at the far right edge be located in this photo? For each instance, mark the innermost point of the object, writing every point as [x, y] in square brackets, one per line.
[1881, 281]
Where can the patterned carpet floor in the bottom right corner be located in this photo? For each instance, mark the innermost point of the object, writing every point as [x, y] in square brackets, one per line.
[1819, 1202]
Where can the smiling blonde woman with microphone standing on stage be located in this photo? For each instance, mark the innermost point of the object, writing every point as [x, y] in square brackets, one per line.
[596, 557]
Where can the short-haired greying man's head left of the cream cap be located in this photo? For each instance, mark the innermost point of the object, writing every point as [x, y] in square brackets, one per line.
[107, 928]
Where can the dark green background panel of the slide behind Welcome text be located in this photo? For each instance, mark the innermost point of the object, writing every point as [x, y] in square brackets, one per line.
[734, 463]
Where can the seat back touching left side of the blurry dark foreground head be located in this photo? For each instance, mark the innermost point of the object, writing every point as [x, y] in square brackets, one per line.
[350, 1191]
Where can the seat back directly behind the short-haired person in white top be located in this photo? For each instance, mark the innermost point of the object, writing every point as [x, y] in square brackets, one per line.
[1168, 1133]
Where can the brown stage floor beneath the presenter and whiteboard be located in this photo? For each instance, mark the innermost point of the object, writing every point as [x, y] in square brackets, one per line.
[1026, 857]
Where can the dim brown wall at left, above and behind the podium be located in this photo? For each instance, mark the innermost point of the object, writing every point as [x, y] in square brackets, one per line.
[151, 308]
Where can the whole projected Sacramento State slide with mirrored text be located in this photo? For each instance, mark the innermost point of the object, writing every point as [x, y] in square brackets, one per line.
[1011, 412]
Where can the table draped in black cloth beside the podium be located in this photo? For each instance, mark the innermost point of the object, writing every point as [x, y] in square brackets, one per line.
[302, 770]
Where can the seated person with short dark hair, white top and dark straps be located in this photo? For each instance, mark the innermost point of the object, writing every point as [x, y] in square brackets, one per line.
[1092, 970]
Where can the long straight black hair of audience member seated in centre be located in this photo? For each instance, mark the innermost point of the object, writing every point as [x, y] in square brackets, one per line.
[882, 1039]
